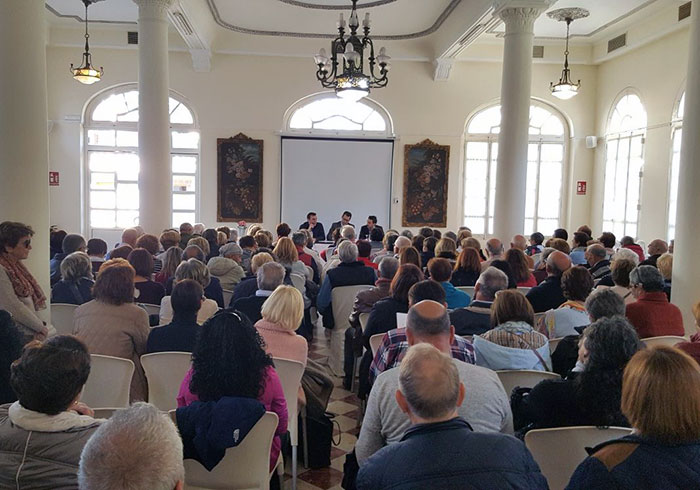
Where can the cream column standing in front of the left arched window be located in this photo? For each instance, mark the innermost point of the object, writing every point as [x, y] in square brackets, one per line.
[155, 182]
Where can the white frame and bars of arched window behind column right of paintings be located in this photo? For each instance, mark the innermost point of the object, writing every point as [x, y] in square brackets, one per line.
[538, 139]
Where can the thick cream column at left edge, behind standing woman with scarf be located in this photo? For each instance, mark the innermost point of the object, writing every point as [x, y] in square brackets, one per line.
[24, 142]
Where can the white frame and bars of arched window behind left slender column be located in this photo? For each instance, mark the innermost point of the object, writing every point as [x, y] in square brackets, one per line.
[88, 124]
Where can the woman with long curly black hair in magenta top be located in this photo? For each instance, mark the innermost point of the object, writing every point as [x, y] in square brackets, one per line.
[229, 361]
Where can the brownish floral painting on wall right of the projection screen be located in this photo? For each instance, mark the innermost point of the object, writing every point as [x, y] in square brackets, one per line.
[425, 184]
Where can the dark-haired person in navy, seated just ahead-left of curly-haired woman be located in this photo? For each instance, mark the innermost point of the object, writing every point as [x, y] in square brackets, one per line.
[181, 333]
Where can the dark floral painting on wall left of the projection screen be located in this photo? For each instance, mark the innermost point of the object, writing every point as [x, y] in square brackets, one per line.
[240, 162]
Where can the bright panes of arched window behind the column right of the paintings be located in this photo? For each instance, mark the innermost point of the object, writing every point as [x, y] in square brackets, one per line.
[545, 169]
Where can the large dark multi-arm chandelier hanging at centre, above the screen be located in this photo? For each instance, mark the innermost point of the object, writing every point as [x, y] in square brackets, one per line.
[350, 82]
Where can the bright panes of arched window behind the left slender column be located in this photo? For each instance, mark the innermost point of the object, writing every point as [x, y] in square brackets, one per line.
[111, 155]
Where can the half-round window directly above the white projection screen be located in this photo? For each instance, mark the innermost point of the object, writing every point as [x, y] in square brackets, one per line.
[326, 113]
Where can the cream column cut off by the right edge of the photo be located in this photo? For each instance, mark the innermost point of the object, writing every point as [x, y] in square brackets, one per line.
[686, 266]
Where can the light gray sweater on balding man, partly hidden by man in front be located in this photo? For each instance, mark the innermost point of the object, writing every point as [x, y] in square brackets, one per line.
[486, 407]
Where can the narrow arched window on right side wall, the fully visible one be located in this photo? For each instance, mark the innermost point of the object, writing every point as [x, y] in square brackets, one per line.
[623, 166]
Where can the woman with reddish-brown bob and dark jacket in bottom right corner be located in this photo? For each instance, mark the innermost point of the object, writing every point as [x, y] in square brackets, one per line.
[664, 449]
